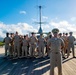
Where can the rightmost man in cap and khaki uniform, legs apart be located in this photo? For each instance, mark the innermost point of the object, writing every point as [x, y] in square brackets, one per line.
[71, 40]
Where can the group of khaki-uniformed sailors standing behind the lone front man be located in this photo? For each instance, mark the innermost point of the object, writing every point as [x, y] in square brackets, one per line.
[18, 46]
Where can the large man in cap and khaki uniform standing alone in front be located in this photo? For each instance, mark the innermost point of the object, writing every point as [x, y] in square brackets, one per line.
[55, 44]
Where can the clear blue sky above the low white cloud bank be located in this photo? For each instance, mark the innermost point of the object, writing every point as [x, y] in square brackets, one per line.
[10, 9]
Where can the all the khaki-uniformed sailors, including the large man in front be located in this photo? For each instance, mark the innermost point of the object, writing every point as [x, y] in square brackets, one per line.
[55, 46]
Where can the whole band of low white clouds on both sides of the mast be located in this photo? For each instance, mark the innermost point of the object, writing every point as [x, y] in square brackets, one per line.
[23, 28]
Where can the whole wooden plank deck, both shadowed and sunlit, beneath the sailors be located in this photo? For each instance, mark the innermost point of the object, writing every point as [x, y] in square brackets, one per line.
[36, 66]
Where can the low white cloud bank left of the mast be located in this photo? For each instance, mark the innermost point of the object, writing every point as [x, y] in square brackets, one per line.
[22, 28]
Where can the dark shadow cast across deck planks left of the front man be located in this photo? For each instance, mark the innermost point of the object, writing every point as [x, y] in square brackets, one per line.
[36, 66]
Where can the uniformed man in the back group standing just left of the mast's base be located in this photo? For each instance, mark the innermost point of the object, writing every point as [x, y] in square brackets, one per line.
[33, 43]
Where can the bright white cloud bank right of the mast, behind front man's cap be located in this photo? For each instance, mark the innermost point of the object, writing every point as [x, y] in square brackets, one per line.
[63, 26]
